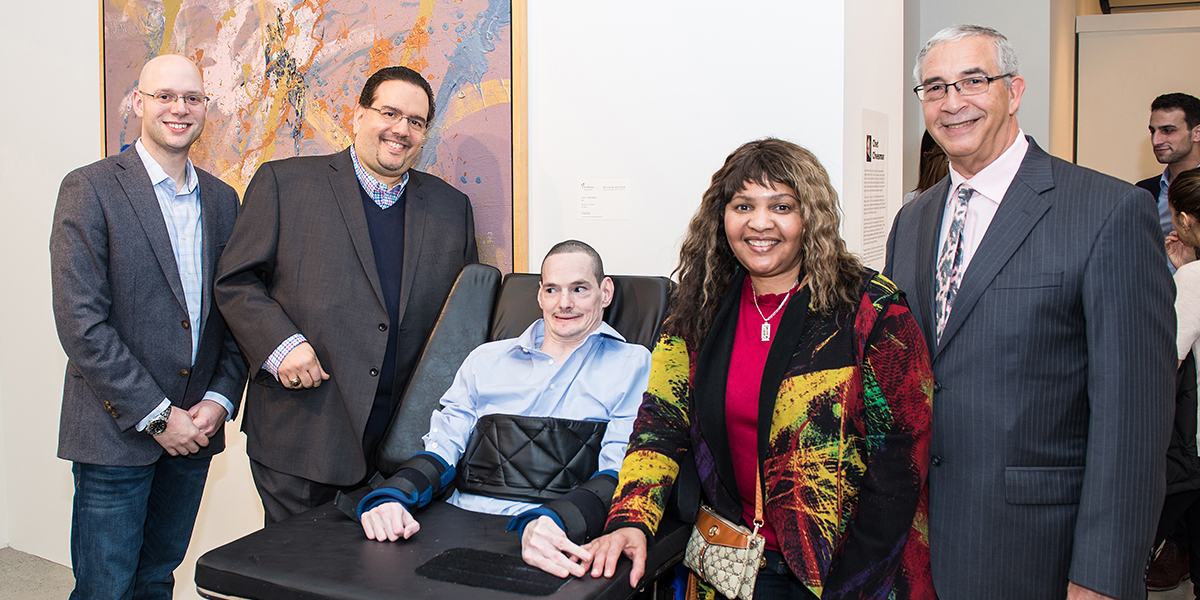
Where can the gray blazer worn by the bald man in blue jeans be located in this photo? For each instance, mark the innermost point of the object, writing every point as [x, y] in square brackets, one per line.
[122, 316]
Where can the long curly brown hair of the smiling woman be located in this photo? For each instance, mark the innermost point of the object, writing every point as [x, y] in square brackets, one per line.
[707, 262]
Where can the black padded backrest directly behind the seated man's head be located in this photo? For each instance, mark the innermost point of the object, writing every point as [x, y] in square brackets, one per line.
[638, 309]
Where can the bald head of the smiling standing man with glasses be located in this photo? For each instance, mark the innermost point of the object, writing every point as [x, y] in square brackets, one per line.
[170, 123]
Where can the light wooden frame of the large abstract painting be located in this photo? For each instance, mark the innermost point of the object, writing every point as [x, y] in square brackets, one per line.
[519, 99]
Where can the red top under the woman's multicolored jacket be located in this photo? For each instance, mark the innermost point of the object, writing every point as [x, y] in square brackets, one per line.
[742, 395]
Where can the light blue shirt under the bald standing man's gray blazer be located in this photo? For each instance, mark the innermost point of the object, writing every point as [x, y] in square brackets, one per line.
[182, 213]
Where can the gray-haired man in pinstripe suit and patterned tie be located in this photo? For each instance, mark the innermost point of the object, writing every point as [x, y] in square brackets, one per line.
[1043, 293]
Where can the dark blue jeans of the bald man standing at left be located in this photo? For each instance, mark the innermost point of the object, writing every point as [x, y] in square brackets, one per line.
[130, 527]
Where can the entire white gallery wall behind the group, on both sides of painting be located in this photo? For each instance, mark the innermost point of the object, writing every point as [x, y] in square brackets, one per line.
[651, 94]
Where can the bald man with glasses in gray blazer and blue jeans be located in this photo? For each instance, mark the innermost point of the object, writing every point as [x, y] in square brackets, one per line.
[153, 373]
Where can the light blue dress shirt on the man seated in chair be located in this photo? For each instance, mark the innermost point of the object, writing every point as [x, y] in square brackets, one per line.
[602, 381]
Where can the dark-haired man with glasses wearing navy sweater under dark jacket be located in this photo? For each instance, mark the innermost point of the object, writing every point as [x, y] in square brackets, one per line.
[332, 283]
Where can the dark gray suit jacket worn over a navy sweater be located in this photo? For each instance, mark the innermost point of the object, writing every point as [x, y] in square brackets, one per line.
[301, 262]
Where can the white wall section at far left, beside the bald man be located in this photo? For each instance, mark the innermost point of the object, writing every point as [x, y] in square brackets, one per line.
[51, 124]
